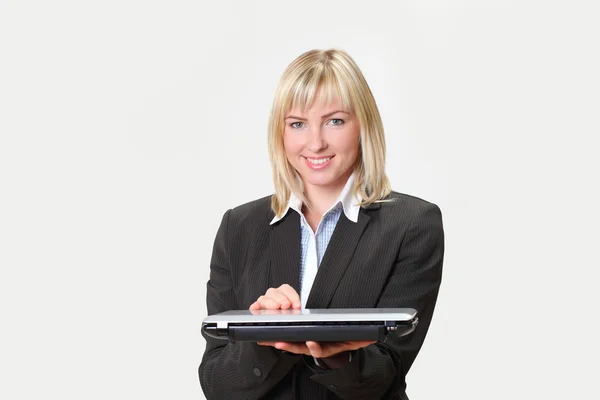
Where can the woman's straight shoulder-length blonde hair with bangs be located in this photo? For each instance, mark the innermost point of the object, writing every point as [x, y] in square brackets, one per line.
[321, 75]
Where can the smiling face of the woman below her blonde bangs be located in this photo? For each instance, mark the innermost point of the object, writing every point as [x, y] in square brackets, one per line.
[322, 144]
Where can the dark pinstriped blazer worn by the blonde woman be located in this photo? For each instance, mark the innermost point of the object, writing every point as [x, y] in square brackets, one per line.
[391, 257]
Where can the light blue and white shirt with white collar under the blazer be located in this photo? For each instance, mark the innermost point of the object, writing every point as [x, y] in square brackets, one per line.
[313, 245]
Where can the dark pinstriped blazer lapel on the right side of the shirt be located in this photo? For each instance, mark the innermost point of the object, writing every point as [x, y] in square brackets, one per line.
[340, 251]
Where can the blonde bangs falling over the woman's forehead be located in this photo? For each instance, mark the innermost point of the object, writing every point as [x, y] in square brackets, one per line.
[319, 85]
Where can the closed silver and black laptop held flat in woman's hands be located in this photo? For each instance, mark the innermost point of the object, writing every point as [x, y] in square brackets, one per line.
[320, 325]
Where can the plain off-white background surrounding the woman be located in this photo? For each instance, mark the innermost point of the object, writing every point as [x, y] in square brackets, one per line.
[127, 129]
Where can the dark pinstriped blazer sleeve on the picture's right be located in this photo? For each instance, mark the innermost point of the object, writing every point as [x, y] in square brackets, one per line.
[378, 371]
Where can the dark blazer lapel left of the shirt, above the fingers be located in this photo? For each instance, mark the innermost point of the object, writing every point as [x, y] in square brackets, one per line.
[285, 252]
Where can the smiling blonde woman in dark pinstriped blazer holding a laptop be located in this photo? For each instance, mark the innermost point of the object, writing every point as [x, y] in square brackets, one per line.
[333, 235]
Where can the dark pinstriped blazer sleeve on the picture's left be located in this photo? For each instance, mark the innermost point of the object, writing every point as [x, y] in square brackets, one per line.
[240, 370]
